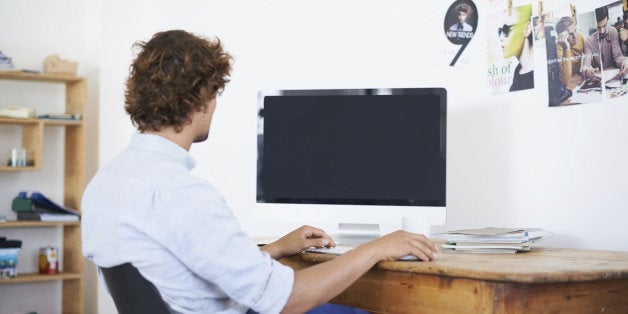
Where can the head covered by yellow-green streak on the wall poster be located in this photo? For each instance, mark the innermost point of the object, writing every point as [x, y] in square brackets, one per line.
[515, 31]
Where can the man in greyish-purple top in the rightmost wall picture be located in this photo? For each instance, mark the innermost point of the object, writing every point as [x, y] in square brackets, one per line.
[601, 49]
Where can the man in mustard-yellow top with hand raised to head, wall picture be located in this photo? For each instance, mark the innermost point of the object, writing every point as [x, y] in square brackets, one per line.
[569, 49]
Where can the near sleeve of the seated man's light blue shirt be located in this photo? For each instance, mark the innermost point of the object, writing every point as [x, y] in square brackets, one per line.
[213, 246]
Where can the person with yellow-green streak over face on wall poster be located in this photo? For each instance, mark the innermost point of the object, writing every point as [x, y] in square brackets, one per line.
[516, 41]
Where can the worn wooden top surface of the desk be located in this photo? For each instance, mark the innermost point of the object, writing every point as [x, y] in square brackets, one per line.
[541, 265]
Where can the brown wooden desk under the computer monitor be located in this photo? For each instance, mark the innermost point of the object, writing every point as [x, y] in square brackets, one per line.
[540, 281]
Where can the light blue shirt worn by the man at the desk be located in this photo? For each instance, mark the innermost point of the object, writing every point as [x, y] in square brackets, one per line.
[147, 209]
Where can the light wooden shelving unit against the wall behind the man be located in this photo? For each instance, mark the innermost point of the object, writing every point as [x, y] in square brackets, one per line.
[74, 144]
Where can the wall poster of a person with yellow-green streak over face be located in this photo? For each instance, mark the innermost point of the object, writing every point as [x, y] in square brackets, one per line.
[511, 50]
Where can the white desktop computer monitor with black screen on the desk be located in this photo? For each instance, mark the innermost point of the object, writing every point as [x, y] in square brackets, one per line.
[328, 157]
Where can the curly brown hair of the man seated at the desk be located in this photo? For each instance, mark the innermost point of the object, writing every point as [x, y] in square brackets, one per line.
[174, 74]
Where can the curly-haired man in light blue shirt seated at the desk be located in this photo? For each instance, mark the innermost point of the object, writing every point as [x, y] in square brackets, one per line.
[145, 208]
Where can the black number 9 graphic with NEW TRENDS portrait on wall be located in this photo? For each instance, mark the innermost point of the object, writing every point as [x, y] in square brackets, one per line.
[461, 21]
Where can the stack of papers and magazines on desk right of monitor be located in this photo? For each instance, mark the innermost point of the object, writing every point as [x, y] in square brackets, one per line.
[491, 240]
